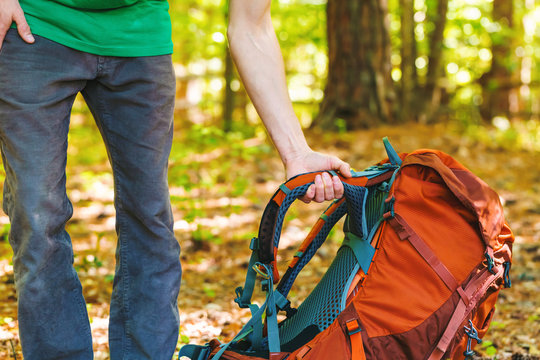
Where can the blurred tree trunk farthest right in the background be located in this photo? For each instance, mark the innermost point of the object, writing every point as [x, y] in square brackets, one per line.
[495, 89]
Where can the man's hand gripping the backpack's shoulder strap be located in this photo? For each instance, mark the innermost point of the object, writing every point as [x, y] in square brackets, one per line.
[326, 187]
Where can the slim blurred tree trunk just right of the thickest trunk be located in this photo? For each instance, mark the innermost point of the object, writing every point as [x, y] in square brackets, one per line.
[408, 57]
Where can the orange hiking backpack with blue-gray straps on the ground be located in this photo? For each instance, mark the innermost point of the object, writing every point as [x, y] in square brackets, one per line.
[425, 253]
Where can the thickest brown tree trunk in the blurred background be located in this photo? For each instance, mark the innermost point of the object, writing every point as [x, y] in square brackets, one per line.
[359, 92]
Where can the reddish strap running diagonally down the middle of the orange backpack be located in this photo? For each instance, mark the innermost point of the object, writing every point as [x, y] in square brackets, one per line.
[406, 232]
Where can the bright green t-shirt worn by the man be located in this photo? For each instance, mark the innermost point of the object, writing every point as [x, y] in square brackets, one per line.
[103, 27]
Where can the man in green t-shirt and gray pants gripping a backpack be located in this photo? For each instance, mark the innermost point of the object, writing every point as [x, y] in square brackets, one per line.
[117, 54]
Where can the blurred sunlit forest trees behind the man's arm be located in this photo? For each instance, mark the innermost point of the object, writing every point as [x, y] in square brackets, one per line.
[354, 64]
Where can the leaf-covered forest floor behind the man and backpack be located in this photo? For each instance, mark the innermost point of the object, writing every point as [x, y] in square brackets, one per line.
[219, 189]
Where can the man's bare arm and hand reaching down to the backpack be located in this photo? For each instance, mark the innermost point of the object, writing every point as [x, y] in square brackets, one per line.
[256, 52]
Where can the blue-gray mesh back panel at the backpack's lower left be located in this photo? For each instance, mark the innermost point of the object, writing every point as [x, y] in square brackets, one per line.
[323, 305]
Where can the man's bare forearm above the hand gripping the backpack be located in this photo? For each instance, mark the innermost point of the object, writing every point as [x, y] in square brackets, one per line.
[255, 50]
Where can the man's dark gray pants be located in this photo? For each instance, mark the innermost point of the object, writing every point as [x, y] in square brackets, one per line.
[132, 102]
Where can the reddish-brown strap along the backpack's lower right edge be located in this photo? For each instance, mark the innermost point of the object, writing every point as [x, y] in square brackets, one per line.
[474, 291]
